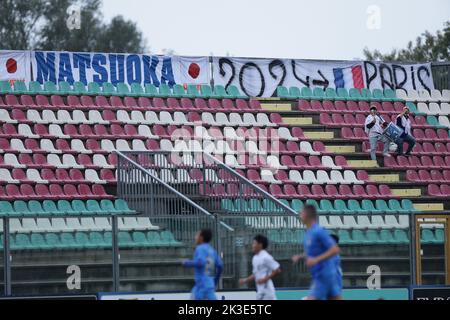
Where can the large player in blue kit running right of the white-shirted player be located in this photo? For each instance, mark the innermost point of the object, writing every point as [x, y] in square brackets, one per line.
[320, 254]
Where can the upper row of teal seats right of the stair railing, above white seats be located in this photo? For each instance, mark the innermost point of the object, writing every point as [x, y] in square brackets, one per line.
[324, 207]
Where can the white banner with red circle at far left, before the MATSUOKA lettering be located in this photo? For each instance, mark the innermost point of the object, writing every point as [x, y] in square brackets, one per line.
[15, 66]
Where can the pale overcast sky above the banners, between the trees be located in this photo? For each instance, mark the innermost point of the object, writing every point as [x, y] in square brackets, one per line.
[313, 29]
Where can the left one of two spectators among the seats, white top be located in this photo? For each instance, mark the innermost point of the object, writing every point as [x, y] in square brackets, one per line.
[374, 128]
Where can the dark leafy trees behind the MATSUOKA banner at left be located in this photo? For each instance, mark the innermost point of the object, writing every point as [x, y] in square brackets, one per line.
[42, 25]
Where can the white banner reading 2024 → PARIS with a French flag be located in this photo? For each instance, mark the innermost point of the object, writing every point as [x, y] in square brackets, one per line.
[261, 77]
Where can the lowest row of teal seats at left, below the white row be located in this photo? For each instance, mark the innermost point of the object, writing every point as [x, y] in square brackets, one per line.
[91, 240]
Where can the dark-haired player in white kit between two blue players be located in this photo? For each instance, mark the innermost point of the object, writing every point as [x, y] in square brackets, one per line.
[265, 268]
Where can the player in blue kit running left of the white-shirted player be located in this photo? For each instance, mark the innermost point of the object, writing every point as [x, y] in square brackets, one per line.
[207, 267]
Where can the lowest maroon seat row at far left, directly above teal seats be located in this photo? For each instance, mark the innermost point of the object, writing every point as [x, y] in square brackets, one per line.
[53, 191]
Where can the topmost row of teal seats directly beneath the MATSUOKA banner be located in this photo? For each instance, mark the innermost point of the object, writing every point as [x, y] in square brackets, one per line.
[121, 89]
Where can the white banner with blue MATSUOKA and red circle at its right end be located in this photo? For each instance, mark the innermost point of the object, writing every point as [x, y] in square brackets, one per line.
[119, 68]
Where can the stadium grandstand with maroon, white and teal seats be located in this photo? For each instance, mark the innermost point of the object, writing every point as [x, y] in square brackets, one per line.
[116, 178]
